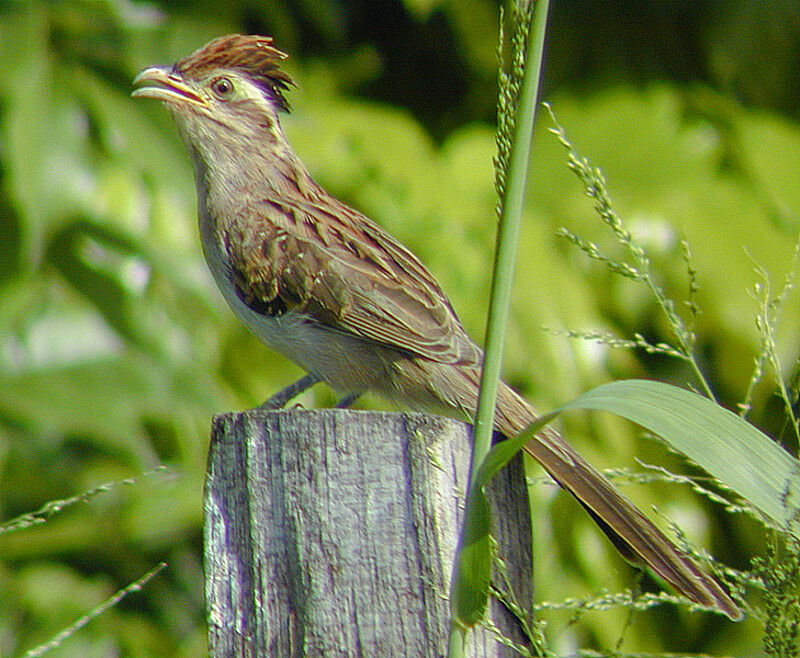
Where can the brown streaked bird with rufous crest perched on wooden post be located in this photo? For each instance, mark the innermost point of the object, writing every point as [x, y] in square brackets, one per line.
[327, 287]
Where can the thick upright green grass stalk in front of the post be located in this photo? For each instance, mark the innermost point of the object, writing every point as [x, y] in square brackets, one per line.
[505, 257]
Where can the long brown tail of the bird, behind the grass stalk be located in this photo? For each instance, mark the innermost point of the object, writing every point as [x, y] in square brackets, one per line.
[631, 532]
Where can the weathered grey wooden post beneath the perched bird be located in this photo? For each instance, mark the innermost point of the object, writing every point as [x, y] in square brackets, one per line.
[332, 533]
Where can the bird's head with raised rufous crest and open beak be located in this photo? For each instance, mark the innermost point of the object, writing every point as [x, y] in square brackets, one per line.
[225, 97]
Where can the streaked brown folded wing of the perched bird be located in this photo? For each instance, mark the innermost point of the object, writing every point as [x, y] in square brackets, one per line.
[345, 271]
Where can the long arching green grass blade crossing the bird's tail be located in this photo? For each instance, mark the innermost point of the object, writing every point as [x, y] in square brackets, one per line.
[732, 450]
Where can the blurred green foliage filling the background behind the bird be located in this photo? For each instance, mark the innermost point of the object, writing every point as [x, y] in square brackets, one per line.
[115, 348]
